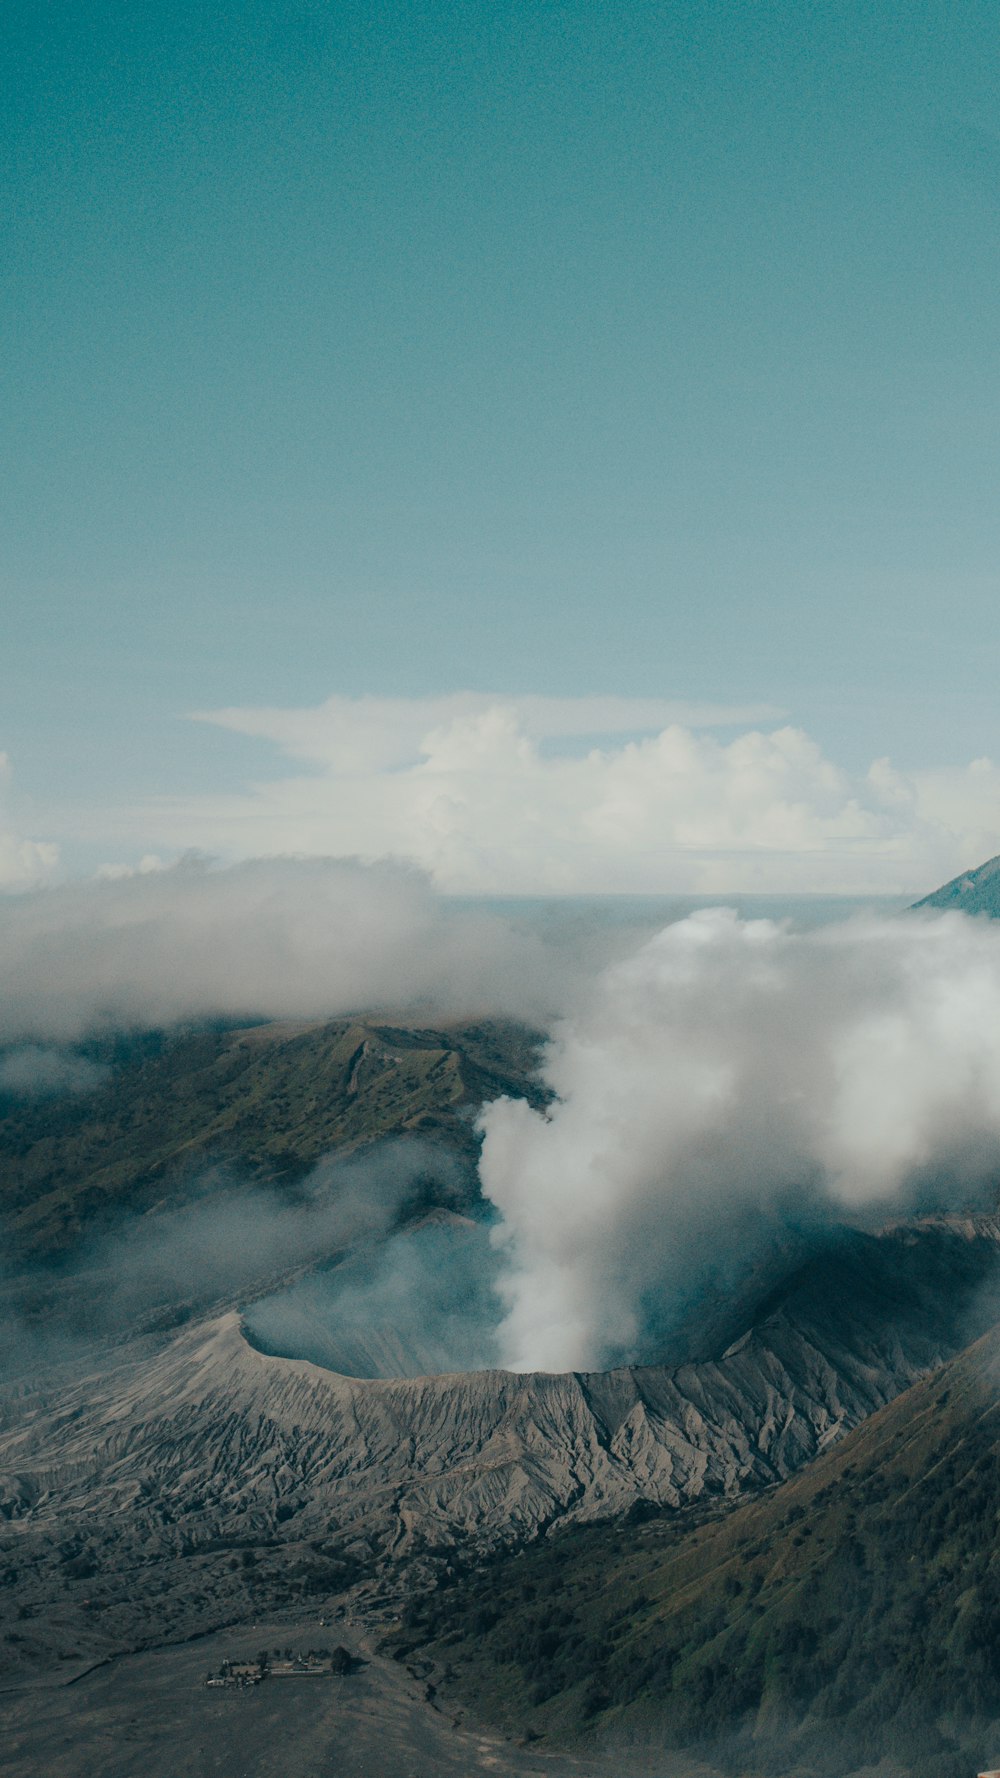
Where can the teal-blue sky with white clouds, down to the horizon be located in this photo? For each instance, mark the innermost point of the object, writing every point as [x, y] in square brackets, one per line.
[552, 444]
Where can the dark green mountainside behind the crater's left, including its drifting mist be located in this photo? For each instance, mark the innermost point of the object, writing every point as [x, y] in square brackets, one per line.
[207, 1167]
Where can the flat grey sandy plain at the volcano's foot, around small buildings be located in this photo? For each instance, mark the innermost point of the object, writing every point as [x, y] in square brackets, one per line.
[152, 1715]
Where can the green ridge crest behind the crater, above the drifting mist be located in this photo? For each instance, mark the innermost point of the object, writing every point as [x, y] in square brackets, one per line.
[271, 1101]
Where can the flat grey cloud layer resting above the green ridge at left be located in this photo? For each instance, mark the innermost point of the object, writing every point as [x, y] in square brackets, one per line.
[277, 938]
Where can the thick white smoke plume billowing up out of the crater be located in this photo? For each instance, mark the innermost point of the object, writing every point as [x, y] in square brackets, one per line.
[738, 1071]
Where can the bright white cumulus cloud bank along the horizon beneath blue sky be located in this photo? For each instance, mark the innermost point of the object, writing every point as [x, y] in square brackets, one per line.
[588, 796]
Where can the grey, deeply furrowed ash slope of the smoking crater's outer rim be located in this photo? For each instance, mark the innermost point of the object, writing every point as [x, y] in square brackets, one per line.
[195, 1480]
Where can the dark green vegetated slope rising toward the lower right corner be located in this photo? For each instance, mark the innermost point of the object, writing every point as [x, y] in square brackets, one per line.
[850, 1615]
